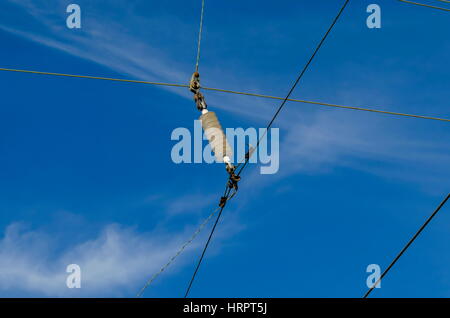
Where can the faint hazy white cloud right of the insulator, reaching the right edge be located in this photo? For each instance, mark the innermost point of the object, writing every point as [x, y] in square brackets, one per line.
[320, 142]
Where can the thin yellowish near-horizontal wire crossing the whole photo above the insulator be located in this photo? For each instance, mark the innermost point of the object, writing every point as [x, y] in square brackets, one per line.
[229, 92]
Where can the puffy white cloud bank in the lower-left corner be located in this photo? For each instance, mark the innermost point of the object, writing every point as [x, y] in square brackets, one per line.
[116, 262]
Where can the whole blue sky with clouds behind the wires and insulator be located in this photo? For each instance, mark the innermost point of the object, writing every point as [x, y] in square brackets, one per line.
[87, 178]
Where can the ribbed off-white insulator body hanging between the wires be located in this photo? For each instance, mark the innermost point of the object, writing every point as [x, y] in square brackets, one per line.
[216, 136]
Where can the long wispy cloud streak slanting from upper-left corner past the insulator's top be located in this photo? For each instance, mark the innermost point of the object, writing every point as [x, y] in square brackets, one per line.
[108, 43]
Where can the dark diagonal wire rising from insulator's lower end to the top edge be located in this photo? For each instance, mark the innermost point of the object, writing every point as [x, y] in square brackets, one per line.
[305, 68]
